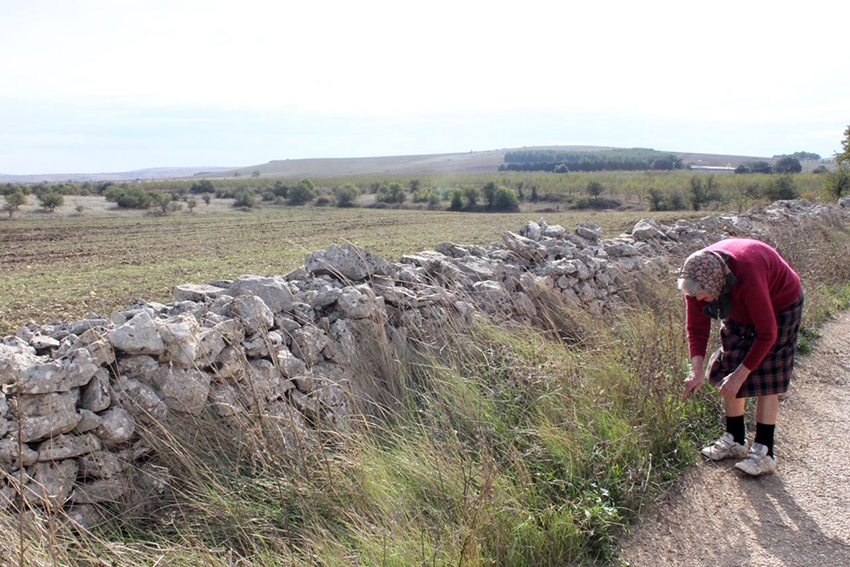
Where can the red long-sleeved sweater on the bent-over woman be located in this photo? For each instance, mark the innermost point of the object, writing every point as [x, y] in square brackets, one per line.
[766, 284]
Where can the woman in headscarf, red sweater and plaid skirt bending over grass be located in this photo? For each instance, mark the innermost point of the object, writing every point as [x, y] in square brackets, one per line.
[757, 296]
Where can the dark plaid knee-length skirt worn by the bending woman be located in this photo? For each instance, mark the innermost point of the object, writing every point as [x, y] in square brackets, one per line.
[773, 375]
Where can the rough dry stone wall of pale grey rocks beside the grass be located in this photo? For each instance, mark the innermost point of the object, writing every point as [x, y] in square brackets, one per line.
[73, 394]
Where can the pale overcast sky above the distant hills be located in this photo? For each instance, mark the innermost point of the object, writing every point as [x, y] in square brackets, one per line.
[102, 86]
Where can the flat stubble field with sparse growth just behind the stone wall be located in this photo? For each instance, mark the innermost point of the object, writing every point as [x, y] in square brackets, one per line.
[62, 266]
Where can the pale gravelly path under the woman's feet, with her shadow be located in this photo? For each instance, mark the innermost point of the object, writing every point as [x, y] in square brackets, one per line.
[798, 517]
